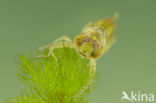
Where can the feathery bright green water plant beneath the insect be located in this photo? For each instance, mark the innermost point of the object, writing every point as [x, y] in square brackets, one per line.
[49, 81]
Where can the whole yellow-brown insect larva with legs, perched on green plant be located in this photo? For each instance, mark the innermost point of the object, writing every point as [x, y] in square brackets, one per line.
[95, 40]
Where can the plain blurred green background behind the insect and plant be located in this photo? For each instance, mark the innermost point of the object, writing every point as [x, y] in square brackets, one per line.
[130, 64]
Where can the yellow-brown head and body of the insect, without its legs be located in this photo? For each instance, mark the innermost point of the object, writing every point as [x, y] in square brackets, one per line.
[99, 35]
